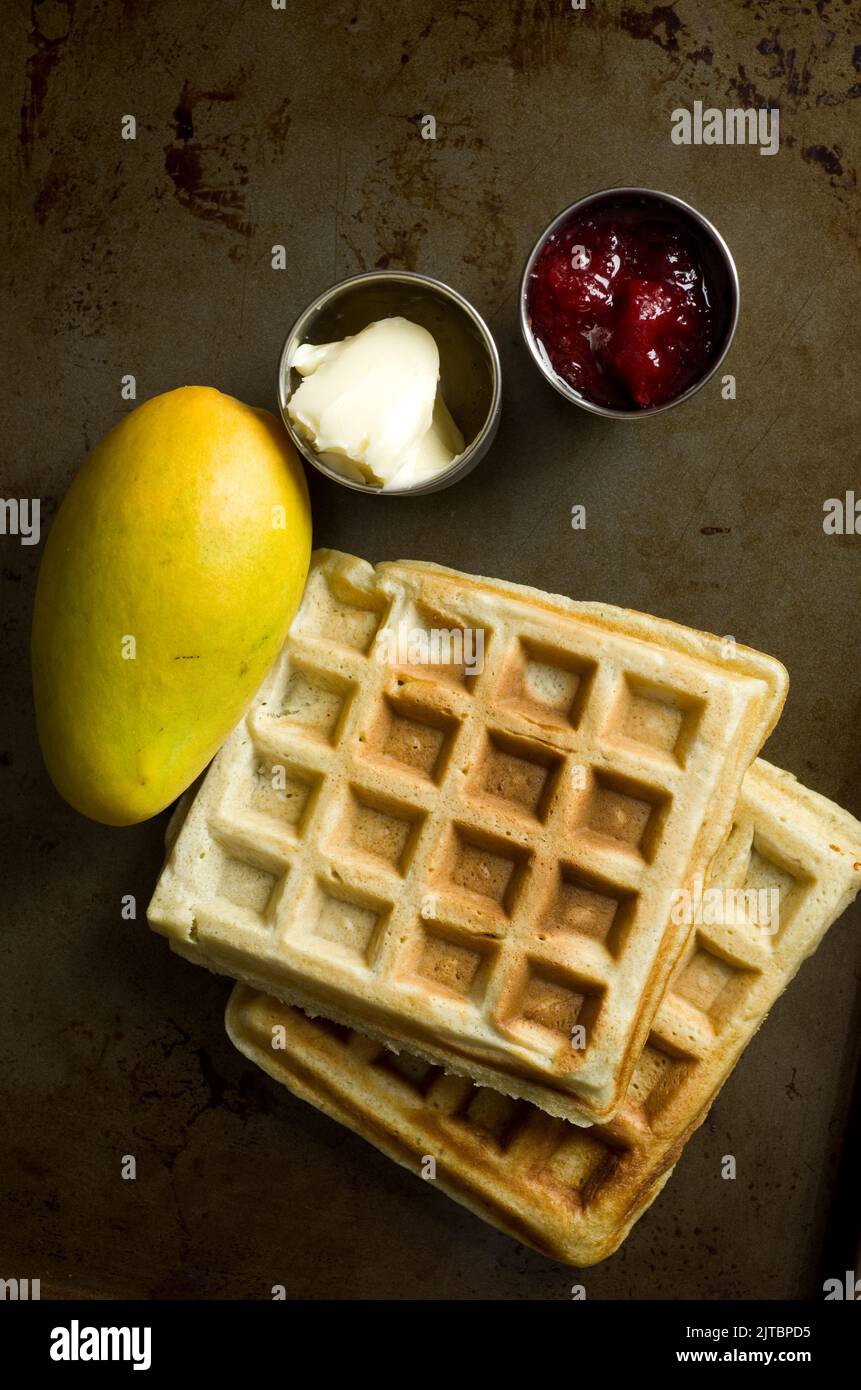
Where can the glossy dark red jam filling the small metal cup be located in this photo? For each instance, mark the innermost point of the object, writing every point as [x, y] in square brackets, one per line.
[622, 305]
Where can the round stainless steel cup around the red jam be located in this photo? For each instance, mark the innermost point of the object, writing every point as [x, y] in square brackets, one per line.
[718, 265]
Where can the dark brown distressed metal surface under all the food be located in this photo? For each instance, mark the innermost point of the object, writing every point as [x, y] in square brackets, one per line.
[301, 127]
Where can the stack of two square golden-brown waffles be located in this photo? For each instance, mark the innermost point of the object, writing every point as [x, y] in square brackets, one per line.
[458, 853]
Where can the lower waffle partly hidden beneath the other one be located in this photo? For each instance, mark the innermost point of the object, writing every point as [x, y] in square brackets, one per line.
[575, 1193]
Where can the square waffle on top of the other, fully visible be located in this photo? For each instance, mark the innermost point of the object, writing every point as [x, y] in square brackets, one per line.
[478, 865]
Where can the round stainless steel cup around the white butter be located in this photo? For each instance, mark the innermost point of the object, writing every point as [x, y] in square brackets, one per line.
[469, 363]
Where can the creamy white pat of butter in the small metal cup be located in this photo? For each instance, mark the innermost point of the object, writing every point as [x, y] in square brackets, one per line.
[372, 409]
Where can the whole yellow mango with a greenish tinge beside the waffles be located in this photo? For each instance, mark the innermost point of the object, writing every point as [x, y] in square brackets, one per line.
[165, 536]
